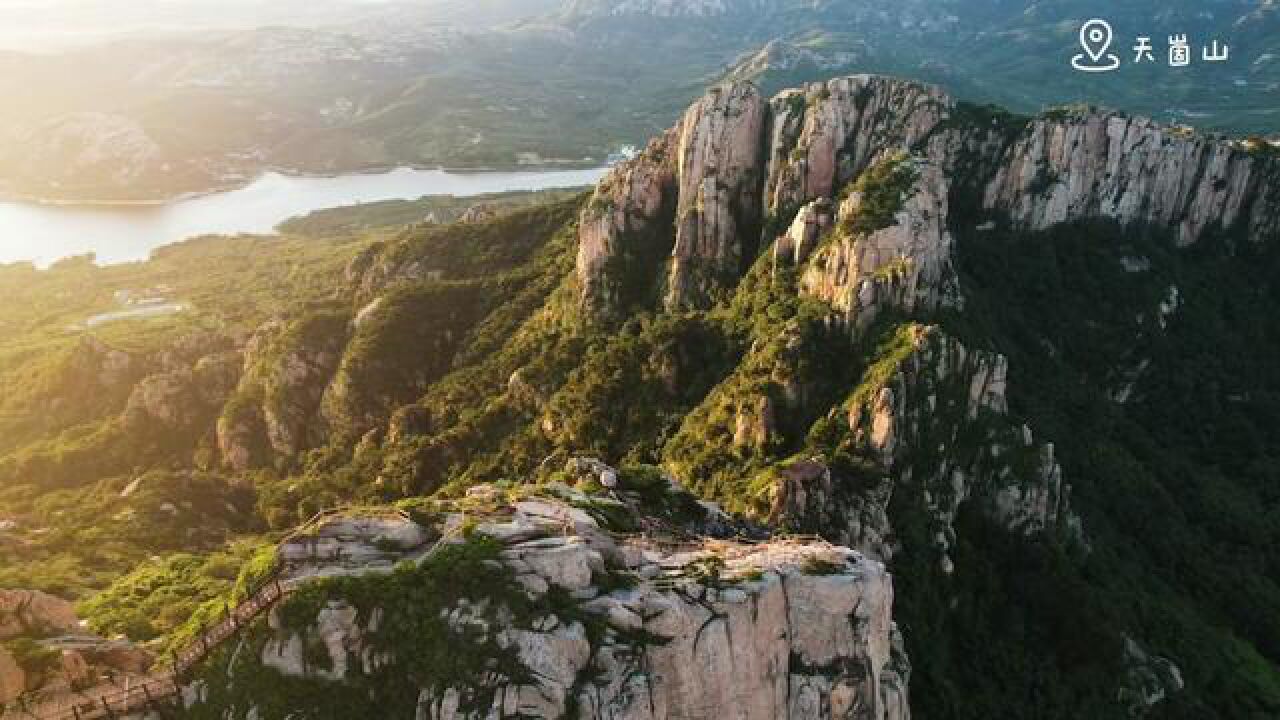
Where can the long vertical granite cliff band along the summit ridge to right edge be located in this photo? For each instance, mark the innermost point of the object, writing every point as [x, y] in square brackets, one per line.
[1035, 174]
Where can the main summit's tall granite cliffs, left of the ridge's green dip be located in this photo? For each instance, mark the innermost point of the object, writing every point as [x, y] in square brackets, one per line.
[732, 162]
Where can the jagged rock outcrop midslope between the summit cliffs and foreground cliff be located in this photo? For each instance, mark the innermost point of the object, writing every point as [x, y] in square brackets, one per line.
[938, 421]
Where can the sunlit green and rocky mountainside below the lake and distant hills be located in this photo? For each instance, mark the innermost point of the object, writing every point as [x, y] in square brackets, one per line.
[860, 400]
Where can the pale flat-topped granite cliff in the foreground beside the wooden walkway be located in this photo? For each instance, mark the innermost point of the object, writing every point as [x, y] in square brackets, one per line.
[778, 630]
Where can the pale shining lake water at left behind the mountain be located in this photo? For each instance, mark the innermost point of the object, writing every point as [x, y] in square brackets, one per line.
[120, 234]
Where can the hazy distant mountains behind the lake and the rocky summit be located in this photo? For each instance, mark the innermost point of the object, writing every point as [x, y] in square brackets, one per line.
[154, 113]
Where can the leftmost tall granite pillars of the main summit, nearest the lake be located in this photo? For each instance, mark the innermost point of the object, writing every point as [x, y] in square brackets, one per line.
[703, 181]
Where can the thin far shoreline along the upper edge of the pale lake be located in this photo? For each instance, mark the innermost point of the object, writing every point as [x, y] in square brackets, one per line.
[231, 186]
